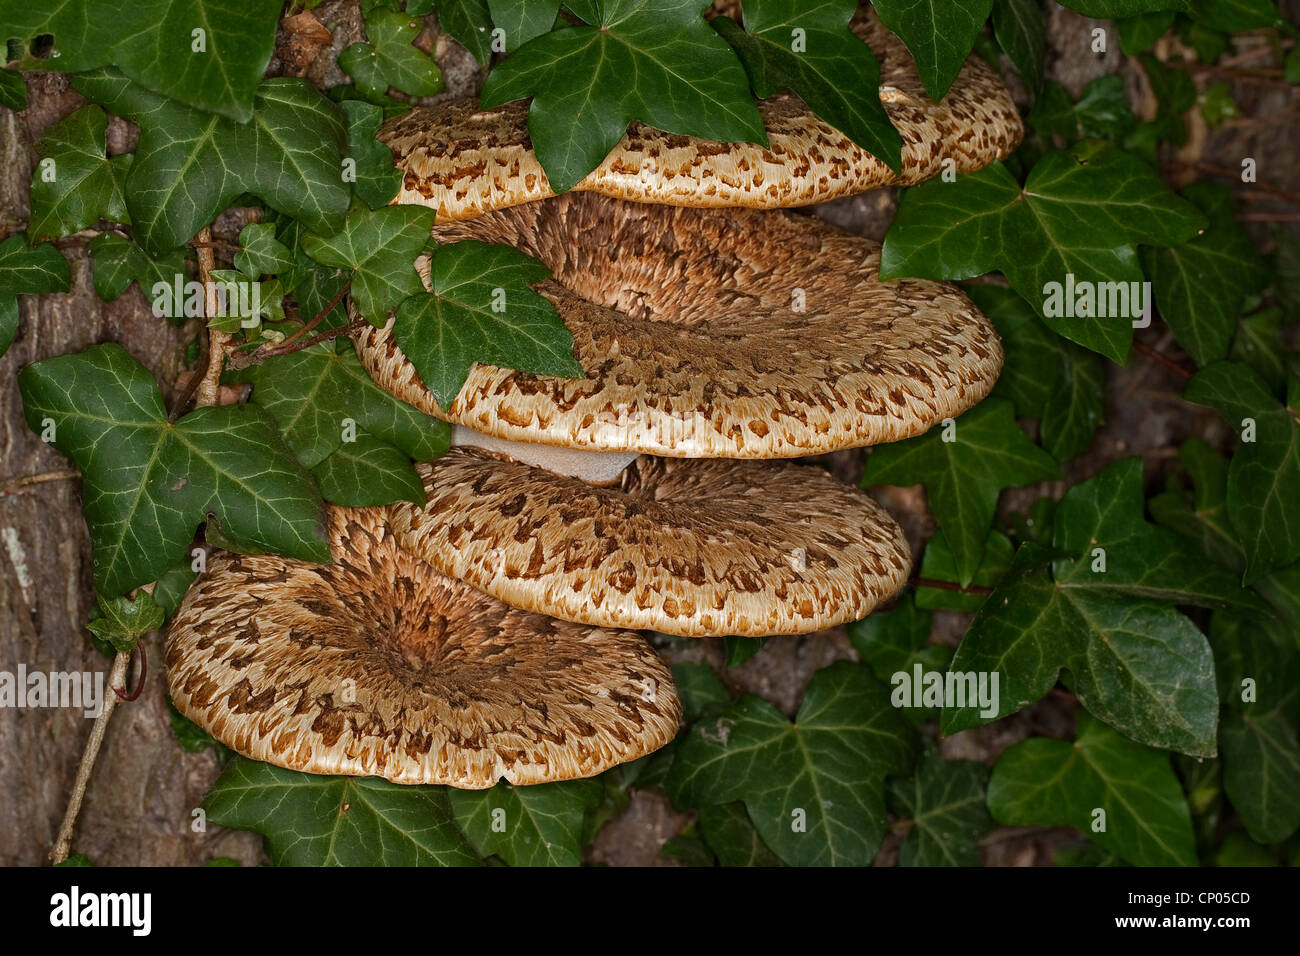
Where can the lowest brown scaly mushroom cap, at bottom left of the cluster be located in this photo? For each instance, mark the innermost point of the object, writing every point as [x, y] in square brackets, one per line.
[379, 665]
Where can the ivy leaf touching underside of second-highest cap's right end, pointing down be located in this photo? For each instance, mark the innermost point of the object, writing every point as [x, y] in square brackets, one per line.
[964, 466]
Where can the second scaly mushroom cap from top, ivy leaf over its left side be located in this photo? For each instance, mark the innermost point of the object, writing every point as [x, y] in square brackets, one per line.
[716, 334]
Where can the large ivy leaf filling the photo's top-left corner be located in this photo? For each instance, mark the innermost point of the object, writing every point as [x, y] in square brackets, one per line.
[206, 54]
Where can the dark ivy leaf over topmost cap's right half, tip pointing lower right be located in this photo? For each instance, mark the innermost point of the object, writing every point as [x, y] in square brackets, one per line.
[811, 50]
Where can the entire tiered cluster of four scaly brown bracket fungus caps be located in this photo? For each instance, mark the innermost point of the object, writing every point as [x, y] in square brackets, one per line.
[491, 633]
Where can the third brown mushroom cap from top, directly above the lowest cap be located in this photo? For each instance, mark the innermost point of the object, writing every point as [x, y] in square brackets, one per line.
[686, 547]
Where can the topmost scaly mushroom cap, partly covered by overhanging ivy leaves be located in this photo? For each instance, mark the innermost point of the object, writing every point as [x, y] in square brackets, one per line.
[466, 162]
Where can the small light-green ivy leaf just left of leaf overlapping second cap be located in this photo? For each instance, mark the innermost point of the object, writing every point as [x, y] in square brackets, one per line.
[380, 248]
